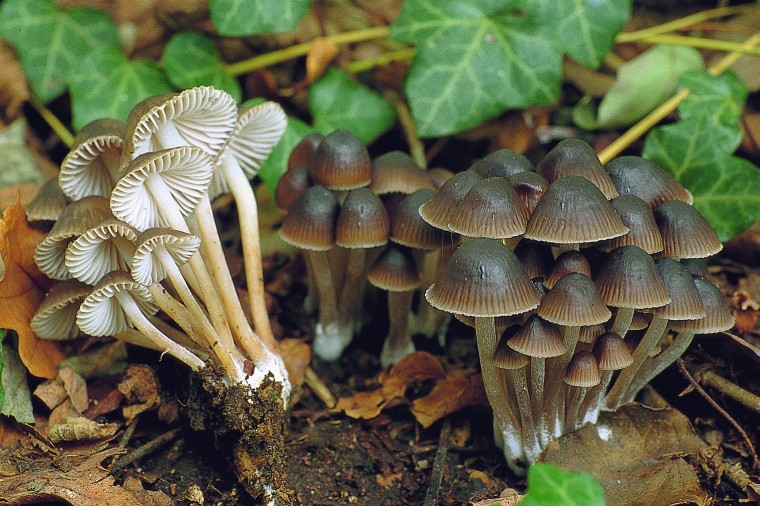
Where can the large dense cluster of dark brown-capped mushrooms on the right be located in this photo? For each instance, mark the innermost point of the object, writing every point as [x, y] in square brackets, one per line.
[571, 275]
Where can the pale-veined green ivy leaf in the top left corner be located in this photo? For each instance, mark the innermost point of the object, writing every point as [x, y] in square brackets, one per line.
[51, 43]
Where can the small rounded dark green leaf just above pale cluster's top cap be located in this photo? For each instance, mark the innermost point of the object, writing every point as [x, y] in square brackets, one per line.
[192, 59]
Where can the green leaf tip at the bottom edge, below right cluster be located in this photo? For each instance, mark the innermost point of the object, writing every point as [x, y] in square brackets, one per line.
[550, 486]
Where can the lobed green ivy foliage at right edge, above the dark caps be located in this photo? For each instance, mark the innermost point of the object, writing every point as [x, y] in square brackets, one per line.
[698, 152]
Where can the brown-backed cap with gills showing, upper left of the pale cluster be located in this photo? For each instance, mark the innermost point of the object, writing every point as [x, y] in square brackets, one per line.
[92, 165]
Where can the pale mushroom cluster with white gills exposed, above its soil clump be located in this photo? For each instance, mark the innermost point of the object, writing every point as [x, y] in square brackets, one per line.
[134, 234]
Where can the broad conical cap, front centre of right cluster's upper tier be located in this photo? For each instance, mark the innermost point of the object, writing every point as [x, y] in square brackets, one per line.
[573, 210]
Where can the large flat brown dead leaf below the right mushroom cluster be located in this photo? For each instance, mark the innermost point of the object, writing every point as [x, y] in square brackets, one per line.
[636, 454]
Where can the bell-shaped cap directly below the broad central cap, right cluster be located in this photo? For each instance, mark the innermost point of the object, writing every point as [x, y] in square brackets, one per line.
[628, 278]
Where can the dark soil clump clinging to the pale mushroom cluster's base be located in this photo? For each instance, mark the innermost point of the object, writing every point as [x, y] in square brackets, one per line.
[252, 424]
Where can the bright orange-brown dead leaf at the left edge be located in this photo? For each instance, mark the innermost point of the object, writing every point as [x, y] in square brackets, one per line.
[22, 290]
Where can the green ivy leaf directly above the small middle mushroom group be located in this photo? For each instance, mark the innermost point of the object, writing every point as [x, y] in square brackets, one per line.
[337, 101]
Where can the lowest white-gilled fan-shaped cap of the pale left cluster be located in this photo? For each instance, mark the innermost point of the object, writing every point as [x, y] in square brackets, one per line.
[101, 314]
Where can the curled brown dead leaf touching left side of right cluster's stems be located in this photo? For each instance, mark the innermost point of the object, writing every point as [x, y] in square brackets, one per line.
[456, 391]
